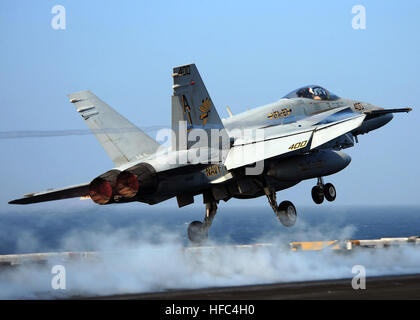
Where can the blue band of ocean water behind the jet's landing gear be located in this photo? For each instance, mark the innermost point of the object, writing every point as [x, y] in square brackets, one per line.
[49, 230]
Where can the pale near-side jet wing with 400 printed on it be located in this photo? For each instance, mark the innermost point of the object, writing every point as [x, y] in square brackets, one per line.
[301, 136]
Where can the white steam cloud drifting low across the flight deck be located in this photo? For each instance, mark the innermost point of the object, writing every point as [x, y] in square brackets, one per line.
[159, 263]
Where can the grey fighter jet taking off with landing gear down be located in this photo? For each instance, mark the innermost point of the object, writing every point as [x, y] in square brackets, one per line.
[255, 153]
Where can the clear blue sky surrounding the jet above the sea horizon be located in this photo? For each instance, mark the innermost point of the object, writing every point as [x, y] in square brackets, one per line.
[248, 52]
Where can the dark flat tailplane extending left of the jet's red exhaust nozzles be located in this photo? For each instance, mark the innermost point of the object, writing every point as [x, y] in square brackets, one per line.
[80, 190]
